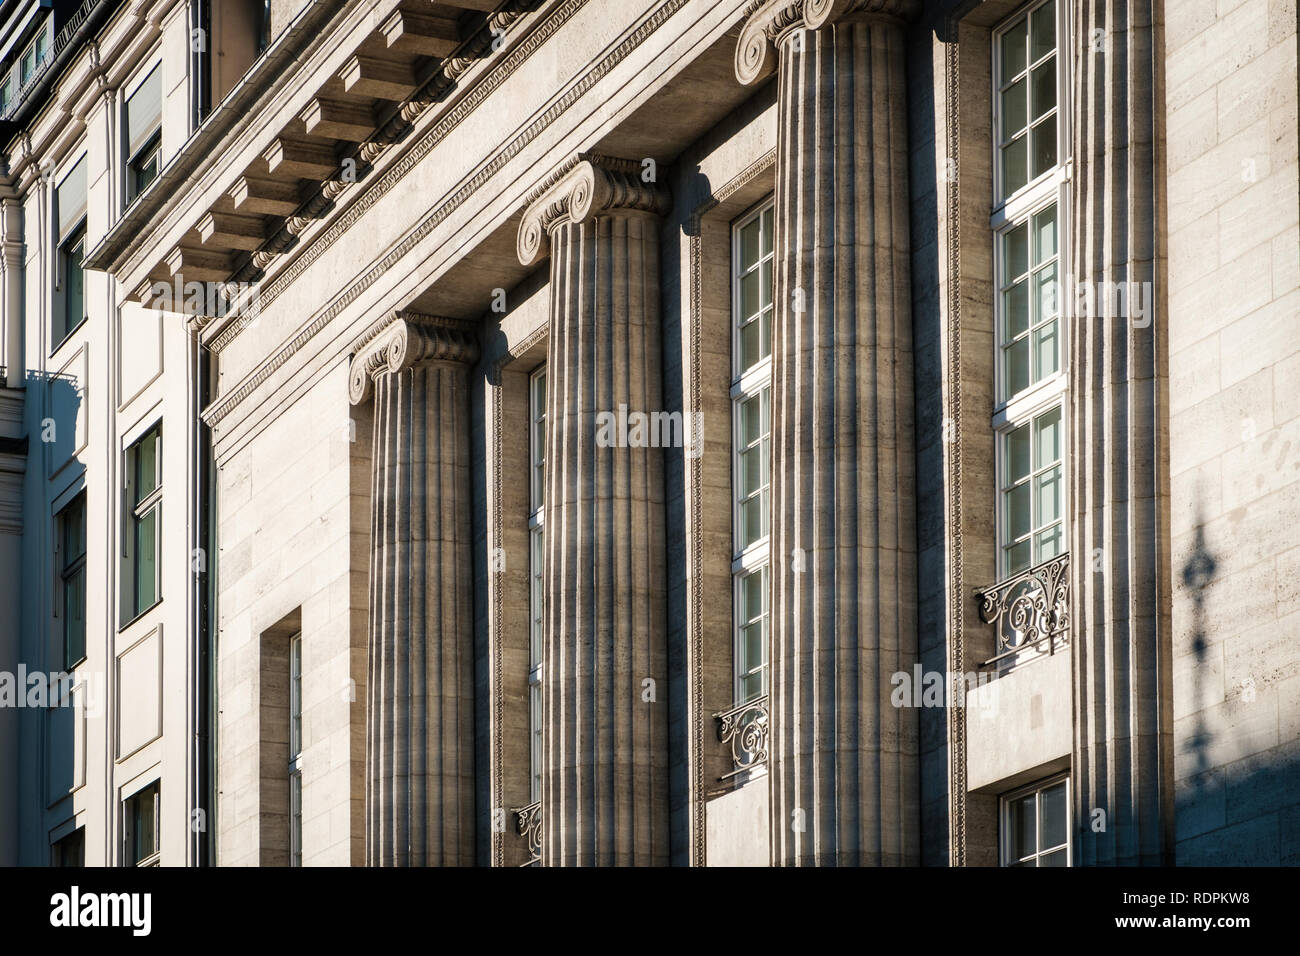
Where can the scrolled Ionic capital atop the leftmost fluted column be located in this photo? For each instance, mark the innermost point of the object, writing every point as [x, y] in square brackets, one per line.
[406, 341]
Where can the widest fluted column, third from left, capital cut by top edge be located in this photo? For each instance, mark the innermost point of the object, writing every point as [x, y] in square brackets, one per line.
[843, 764]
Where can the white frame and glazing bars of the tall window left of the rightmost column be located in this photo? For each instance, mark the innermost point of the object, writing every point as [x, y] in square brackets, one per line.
[1052, 187]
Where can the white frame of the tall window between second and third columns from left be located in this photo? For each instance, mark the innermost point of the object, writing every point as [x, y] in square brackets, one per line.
[748, 384]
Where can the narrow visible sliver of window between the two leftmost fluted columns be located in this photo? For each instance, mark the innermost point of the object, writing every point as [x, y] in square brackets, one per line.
[536, 566]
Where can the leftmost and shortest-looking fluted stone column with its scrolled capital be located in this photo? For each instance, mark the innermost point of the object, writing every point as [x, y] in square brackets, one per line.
[419, 785]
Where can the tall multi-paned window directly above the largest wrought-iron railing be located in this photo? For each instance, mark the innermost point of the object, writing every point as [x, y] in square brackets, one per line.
[1032, 183]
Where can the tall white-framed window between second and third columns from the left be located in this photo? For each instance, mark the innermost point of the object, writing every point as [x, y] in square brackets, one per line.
[752, 442]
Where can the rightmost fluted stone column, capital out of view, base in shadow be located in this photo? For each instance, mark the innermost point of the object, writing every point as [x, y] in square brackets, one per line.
[1120, 444]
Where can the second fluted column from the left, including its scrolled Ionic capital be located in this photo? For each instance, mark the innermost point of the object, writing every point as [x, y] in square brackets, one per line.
[605, 788]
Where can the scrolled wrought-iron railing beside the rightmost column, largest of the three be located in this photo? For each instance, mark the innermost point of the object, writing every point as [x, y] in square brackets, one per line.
[1029, 609]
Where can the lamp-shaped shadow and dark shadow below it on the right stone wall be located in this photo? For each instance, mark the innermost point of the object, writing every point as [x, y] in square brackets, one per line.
[1241, 812]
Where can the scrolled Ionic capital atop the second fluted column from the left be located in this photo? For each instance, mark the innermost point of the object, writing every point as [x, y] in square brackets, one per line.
[584, 188]
